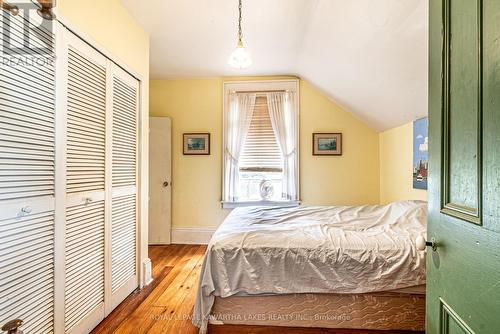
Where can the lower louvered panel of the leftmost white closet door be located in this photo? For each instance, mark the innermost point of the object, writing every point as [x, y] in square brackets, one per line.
[27, 264]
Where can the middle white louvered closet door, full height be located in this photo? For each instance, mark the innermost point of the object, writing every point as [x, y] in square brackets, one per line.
[85, 159]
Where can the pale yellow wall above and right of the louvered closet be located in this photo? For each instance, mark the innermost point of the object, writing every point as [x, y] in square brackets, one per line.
[110, 27]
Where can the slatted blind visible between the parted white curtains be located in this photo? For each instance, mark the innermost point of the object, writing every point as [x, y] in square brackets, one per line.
[261, 152]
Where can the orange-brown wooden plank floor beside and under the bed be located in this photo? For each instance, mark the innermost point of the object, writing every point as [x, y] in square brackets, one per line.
[165, 306]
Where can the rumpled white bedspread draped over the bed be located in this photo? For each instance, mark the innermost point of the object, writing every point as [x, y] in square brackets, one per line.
[312, 249]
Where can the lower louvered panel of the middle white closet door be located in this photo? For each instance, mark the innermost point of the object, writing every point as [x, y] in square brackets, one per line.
[84, 261]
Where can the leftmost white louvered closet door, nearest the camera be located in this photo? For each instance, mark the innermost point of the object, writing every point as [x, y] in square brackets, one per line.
[27, 188]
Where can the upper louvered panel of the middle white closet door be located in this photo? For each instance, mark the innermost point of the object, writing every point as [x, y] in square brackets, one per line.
[86, 124]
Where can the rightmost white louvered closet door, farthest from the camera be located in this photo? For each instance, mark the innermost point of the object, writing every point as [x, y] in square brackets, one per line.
[124, 100]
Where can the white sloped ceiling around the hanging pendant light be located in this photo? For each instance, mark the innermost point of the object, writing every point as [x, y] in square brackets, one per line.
[370, 56]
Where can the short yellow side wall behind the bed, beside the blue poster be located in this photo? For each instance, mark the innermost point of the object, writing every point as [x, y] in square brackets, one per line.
[396, 163]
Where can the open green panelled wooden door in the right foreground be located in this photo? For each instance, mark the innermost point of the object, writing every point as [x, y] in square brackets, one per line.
[463, 279]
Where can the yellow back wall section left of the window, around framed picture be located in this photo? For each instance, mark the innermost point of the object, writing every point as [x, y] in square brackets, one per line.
[194, 106]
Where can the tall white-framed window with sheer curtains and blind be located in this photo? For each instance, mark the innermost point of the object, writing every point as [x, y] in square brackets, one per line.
[260, 139]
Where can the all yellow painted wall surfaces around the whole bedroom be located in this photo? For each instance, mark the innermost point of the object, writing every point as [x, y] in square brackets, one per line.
[374, 167]
